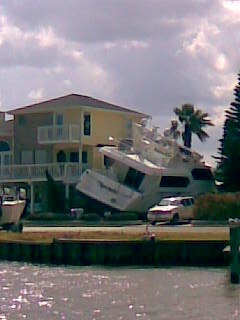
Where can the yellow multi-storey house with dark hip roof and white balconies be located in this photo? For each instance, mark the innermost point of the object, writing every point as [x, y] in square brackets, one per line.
[61, 136]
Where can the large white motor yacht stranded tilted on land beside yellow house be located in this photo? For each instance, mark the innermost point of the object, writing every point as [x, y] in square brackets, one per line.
[141, 171]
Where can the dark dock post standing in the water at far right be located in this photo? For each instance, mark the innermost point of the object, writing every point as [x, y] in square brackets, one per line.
[234, 252]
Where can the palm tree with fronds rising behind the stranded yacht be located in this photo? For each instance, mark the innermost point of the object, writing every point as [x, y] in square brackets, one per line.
[194, 121]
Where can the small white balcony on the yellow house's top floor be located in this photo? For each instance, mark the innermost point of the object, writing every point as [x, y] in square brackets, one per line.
[59, 134]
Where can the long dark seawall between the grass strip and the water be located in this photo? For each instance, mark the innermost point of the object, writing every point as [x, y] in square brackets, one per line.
[117, 253]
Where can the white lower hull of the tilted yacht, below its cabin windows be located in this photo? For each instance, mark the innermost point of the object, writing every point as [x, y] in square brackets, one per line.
[122, 198]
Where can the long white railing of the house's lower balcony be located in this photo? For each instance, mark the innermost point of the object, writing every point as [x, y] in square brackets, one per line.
[37, 172]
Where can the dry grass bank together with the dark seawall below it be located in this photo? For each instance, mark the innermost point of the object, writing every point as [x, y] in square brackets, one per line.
[169, 247]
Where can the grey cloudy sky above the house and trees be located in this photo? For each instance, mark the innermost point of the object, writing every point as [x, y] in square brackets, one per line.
[147, 55]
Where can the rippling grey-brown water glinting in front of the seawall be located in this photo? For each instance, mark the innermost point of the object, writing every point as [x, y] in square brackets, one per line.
[46, 292]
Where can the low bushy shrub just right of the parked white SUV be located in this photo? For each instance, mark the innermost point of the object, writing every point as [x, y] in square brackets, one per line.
[217, 206]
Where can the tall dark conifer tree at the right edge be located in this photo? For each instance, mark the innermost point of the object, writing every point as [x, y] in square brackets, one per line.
[228, 170]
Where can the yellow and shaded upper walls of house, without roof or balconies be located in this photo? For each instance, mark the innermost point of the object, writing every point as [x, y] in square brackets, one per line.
[103, 125]
